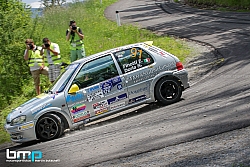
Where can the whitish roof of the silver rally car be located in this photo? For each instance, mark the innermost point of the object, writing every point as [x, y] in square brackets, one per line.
[100, 54]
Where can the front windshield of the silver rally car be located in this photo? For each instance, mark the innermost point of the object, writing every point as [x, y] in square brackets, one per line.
[59, 85]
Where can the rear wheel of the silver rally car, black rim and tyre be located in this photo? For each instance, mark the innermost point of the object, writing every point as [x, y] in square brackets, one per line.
[168, 91]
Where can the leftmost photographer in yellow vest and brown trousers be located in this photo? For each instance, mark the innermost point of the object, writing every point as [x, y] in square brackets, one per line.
[36, 63]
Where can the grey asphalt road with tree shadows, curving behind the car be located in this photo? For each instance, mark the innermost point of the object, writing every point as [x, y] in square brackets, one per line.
[218, 103]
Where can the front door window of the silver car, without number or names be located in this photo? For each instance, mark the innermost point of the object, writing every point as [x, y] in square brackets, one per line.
[96, 71]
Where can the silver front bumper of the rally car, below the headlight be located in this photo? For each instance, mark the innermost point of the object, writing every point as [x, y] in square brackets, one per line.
[21, 133]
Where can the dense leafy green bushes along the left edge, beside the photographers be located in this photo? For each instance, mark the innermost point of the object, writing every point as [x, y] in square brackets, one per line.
[16, 25]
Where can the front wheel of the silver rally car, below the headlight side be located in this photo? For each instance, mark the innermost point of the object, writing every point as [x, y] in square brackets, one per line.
[49, 127]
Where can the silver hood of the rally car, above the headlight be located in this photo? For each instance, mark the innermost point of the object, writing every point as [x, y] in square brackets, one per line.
[32, 106]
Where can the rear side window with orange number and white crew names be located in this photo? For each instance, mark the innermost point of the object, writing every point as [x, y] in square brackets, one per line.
[132, 59]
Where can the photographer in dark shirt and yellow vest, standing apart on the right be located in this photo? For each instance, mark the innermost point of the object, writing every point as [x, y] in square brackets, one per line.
[75, 36]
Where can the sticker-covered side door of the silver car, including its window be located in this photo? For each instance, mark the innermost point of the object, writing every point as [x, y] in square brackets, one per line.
[101, 89]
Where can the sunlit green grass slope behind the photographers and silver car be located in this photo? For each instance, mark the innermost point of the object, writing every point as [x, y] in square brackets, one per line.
[100, 34]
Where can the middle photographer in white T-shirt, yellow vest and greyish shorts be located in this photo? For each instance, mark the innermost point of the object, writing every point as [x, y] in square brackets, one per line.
[52, 58]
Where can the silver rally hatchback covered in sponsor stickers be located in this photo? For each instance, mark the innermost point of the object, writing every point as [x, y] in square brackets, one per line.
[97, 86]
